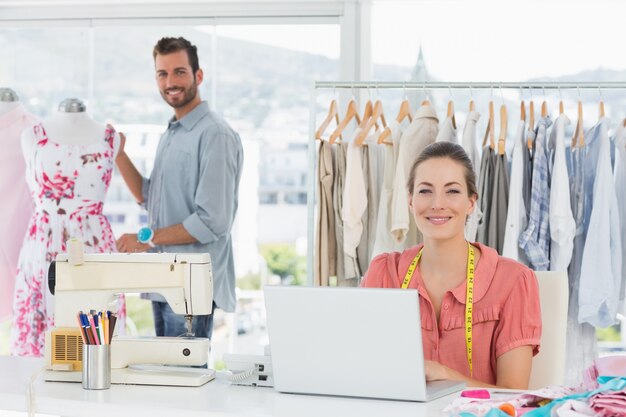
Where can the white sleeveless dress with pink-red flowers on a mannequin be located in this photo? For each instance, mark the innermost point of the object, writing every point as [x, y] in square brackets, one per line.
[68, 184]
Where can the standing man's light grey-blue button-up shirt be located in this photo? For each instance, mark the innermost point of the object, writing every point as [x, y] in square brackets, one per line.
[195, 181]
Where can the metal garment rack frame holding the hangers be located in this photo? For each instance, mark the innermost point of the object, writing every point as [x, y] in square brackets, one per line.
[410, 85]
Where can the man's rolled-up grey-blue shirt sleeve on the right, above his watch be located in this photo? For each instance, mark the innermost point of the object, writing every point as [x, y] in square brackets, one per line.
[216, 197]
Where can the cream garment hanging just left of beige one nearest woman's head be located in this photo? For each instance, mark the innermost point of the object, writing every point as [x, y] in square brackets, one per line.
[384, 240]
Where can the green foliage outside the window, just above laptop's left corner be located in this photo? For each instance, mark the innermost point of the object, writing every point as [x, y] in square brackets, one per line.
[282, 260]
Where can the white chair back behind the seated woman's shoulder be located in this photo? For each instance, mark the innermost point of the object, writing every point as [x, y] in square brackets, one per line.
[549, 364]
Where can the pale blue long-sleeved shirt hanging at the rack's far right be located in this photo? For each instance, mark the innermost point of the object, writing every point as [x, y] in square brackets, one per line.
[600, 272]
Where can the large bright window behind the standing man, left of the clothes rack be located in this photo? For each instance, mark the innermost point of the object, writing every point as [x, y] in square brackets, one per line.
[257, 76]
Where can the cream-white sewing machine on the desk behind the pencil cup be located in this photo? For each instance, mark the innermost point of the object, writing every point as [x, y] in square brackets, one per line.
[92, 281]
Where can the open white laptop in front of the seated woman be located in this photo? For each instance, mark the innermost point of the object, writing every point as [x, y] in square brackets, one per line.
[357, 342]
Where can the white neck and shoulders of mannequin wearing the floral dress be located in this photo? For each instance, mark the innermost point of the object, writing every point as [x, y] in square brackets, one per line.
[72, 125]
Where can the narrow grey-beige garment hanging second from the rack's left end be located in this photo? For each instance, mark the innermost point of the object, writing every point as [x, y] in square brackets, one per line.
[347, 266]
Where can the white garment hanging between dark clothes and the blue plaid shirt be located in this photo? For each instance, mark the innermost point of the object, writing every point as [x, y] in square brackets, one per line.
[516, 220]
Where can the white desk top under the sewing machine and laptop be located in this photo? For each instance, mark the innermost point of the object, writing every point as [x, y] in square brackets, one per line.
[217, 398]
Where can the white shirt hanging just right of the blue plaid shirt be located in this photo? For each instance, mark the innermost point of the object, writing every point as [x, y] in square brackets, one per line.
[562, 224]
